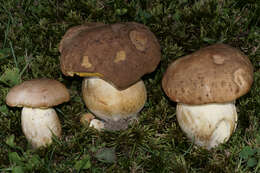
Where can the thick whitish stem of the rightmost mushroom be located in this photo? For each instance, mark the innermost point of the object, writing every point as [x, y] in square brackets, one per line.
[208, 125]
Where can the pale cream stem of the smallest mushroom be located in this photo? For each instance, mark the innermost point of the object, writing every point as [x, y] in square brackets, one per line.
[39, 125]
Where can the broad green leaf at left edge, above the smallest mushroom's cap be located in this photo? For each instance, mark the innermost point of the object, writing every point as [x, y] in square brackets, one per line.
[11, 77]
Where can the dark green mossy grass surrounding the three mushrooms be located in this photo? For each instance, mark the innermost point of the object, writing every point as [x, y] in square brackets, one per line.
[30, 34]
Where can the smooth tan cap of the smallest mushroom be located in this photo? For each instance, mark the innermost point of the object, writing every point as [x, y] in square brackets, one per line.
[38, 93]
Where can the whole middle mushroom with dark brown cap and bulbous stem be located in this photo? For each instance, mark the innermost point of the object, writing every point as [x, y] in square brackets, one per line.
[113, 58]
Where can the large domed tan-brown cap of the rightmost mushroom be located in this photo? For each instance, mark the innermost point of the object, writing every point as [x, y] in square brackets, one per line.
[214, 74]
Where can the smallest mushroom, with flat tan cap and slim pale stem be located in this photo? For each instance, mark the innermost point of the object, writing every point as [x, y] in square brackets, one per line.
[39, 120]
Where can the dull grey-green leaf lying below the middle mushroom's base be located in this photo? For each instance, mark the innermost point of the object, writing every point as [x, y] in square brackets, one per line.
[106, 155]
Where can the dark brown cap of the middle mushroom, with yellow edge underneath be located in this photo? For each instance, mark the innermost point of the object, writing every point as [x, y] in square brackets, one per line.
[120, 53]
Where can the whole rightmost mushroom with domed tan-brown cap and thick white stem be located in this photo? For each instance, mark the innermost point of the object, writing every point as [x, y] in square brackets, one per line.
[206, 84]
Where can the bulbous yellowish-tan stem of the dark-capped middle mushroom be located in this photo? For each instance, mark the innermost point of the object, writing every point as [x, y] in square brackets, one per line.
[113, 106]
